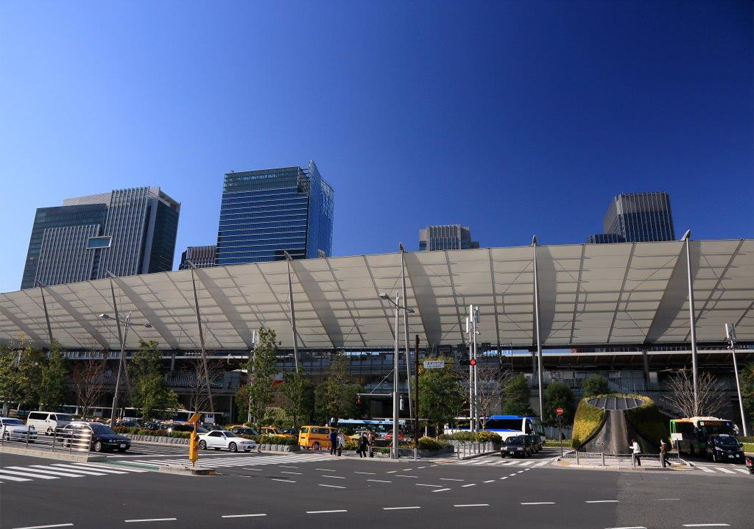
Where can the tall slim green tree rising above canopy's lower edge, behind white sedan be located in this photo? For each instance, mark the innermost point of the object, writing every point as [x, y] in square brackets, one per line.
[259, 391]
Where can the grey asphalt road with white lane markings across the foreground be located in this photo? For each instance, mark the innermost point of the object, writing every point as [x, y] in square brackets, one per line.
[299, 489]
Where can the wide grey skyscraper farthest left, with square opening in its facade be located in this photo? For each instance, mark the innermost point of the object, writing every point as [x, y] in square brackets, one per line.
[125, 232]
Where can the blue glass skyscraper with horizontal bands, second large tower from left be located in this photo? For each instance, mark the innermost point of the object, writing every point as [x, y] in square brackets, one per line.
[266, 213]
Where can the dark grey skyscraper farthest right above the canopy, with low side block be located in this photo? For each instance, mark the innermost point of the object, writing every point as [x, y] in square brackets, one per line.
[637, 217]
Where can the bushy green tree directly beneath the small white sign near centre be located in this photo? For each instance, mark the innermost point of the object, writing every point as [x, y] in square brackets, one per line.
[441, 397]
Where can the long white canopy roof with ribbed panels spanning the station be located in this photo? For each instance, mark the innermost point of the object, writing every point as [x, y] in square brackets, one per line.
[590, 294]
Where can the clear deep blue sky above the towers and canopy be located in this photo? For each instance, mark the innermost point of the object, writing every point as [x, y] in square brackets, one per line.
[515, 118]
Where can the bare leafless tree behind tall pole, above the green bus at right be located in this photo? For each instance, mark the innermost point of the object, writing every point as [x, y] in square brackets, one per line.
[710, 392]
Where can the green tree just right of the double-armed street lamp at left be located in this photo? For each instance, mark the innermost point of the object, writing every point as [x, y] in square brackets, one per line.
[149, 389]
